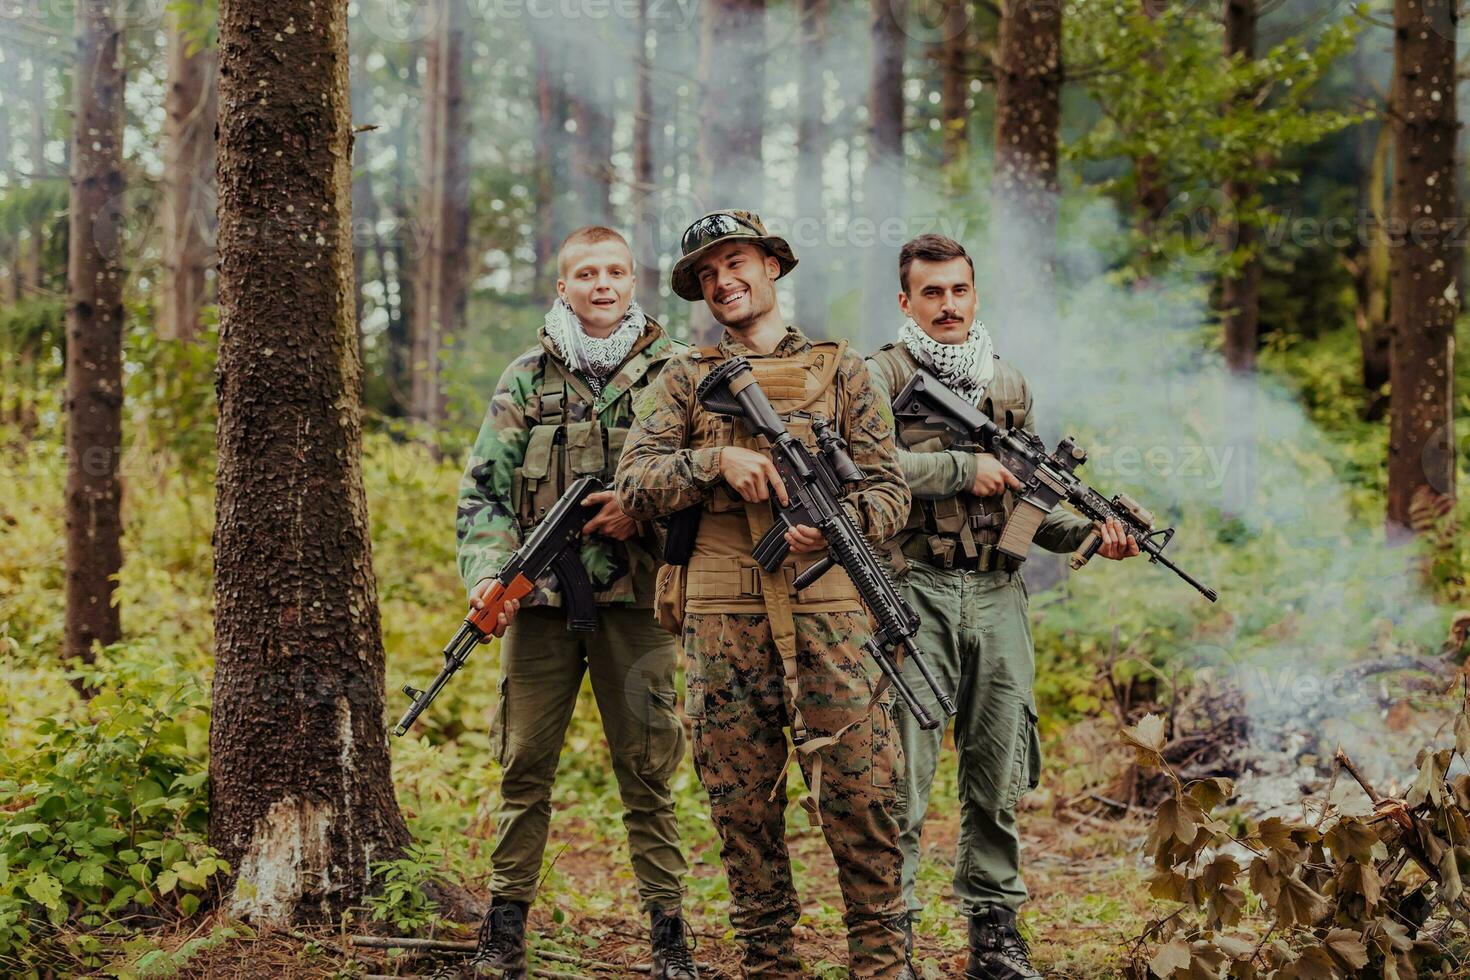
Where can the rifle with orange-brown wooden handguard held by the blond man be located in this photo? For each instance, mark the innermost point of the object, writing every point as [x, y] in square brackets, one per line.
[553, 546]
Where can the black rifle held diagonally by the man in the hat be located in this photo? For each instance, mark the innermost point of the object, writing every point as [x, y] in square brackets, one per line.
[817, 487]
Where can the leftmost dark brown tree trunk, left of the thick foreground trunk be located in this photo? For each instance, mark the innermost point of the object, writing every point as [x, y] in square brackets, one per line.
[95, 337]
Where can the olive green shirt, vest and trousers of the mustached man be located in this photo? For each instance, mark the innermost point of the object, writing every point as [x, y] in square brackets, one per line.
[975, 637]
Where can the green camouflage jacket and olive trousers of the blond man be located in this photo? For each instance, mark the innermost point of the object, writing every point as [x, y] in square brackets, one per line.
[545, 430]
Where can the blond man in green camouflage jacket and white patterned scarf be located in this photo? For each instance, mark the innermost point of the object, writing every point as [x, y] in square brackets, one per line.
[562, 412]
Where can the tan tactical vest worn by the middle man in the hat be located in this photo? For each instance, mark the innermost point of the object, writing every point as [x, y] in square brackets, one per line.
[723, 577]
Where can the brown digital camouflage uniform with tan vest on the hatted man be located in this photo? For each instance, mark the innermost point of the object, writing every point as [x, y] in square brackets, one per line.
[743, 690]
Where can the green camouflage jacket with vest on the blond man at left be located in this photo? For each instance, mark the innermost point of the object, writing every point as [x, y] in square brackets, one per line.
[537, 396]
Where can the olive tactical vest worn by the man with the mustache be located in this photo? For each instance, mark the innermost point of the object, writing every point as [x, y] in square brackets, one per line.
[956, 531]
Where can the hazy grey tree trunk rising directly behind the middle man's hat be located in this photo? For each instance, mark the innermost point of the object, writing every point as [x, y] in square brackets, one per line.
[733, 118]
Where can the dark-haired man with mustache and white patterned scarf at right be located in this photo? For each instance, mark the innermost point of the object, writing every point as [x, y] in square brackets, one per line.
[971, 600]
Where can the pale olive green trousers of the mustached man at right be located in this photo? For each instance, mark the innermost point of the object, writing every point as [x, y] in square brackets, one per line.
[977, 640]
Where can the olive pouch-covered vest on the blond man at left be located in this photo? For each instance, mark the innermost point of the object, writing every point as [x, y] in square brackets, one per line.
[559, 452]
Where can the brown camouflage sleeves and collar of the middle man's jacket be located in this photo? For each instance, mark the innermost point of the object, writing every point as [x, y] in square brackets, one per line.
[659, 475]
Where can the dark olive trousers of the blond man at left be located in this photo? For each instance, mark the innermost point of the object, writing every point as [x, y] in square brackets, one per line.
[631, 663]
